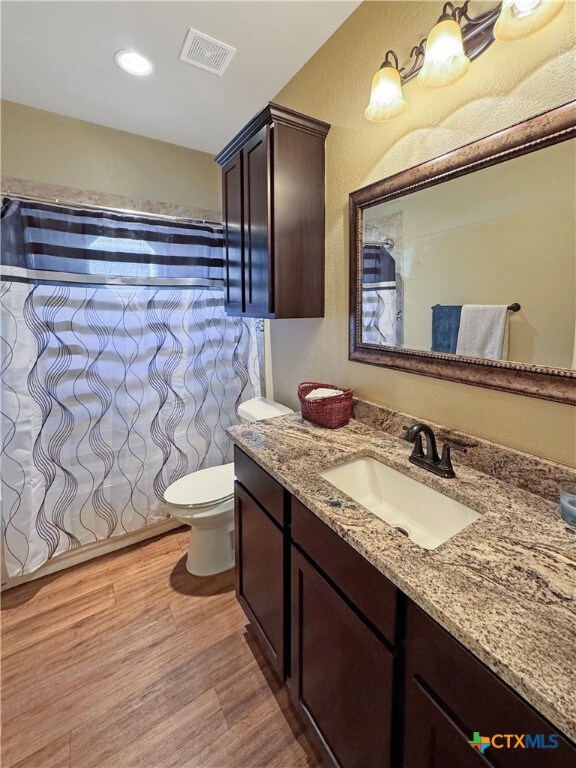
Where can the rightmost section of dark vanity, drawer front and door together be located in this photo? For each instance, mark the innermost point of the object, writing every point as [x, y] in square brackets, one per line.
[450, 695]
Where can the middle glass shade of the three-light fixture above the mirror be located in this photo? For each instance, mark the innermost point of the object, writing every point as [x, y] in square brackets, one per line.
[444, 59]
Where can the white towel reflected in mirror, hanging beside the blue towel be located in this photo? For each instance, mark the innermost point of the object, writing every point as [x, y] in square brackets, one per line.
[483, 331]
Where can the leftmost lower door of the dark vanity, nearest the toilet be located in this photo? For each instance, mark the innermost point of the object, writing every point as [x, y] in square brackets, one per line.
[260, 575]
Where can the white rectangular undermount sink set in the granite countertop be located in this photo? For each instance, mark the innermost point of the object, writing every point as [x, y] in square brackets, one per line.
[425, 515]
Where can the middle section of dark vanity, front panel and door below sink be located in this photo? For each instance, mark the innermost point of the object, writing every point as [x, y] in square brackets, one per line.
[342, 673]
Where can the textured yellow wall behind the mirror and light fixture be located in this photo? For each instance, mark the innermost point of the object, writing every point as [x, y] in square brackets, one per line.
[507, 84]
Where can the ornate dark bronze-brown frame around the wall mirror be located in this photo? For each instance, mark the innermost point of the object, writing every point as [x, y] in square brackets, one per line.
[558, 384]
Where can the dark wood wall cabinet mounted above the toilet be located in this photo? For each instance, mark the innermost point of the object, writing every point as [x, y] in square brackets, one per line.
[273, 209]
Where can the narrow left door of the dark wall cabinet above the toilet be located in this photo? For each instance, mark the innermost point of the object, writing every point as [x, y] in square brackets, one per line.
[233, 234]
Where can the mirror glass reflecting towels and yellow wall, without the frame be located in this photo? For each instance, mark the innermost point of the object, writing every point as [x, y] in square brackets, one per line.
[441, 266]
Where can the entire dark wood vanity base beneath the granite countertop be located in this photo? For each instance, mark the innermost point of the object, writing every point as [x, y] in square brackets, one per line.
[378, 683]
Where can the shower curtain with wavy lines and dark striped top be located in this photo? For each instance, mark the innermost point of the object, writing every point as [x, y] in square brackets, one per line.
[120, 372]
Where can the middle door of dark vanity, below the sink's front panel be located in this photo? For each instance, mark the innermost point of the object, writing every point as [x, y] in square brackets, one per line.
[341, 673]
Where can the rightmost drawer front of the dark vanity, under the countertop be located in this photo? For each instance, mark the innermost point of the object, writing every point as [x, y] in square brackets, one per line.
[474, 698]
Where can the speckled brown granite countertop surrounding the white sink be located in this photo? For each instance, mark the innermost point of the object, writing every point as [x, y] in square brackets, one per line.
[505, 587]
